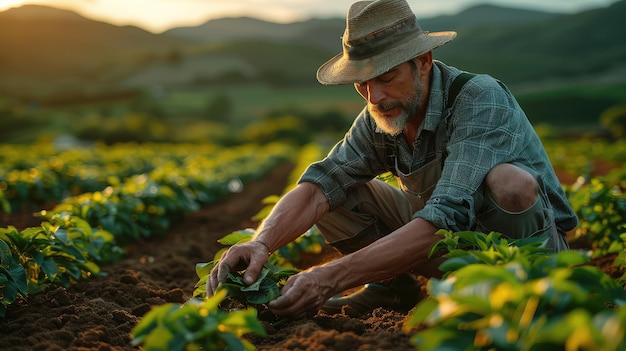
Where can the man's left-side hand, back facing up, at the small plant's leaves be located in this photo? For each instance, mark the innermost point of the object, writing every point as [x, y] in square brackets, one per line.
[250, 256]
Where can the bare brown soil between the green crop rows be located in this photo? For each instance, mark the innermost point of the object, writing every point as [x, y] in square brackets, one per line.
[99, 314]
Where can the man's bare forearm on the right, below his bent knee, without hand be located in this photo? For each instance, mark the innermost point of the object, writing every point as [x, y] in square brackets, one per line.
[406, 249]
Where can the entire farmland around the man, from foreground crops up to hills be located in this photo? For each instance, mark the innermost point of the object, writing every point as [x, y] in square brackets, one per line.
[130, 159]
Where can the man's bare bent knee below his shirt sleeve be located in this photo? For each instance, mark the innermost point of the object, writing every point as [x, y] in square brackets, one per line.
[511, 187]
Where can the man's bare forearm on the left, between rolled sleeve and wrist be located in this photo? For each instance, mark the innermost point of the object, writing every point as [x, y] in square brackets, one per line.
[294, 214]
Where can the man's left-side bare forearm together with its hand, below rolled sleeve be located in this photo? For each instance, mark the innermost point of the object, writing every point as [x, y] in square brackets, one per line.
[294, 214]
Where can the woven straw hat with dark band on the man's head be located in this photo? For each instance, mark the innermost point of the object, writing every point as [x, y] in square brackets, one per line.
[379, 35]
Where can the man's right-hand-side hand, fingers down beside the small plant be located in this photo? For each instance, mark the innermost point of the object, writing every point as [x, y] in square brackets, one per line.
[303, 294]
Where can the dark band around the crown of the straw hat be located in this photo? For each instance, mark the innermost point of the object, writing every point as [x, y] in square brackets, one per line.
[382, 40]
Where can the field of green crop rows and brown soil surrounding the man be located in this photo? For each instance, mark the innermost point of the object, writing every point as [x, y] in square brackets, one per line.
[108, 247]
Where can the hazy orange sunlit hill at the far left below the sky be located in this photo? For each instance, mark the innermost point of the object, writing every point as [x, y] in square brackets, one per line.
[45, 49]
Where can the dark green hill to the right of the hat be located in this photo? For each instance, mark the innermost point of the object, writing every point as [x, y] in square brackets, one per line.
[584, 44]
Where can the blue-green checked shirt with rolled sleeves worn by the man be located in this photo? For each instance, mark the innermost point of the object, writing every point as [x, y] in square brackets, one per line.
[486, 127]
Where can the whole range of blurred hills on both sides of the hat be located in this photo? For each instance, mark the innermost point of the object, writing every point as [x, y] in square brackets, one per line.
[48, 50]
